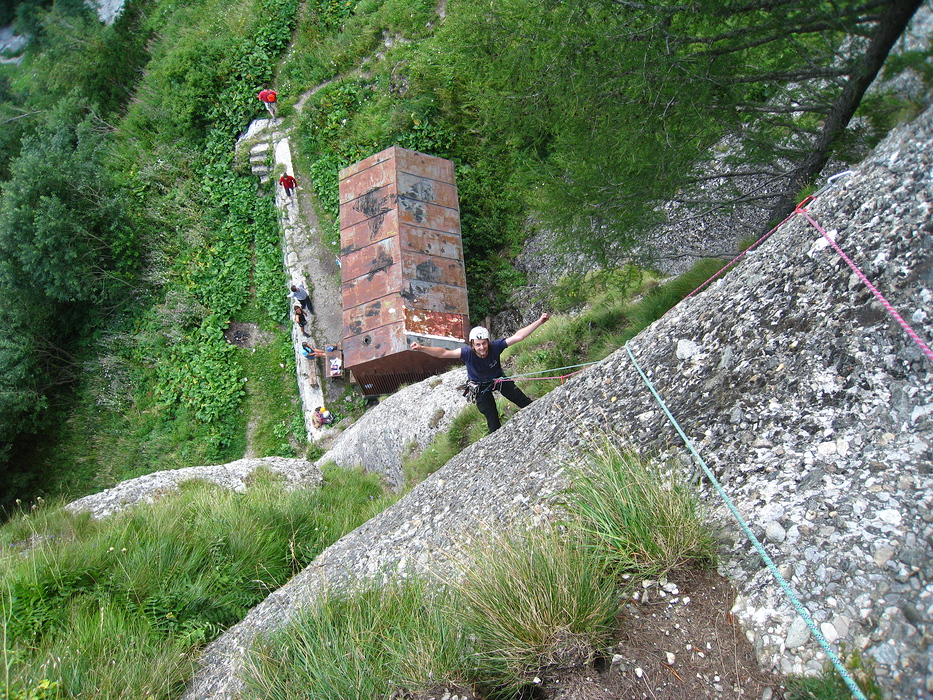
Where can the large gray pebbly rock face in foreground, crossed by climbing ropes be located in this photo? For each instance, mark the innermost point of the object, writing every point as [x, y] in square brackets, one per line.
[811, 406]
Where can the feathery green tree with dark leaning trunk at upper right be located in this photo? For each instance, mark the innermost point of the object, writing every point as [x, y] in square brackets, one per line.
[621, 106]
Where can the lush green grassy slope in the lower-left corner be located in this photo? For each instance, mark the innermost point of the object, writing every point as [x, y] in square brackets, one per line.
[120, 608]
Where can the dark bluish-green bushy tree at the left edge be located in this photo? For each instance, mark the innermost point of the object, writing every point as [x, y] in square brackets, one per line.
[63, 236]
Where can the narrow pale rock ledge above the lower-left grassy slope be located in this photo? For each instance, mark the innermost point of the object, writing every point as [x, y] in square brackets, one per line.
[235, 476]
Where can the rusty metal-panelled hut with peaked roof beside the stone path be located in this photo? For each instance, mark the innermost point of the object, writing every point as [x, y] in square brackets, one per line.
[401, 265]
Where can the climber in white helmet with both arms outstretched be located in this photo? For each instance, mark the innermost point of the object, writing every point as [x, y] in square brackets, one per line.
[484, 368]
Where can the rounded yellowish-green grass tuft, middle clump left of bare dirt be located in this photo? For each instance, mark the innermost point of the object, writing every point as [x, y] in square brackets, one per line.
[534, 601]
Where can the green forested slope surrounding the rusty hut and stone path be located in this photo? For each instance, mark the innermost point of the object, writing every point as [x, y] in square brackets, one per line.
[131, 237]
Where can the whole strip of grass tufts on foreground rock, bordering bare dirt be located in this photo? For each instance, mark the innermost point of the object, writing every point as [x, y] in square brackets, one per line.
[526, 600]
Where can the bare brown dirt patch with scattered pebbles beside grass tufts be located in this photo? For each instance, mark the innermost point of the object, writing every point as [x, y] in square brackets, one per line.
[666, 649]
